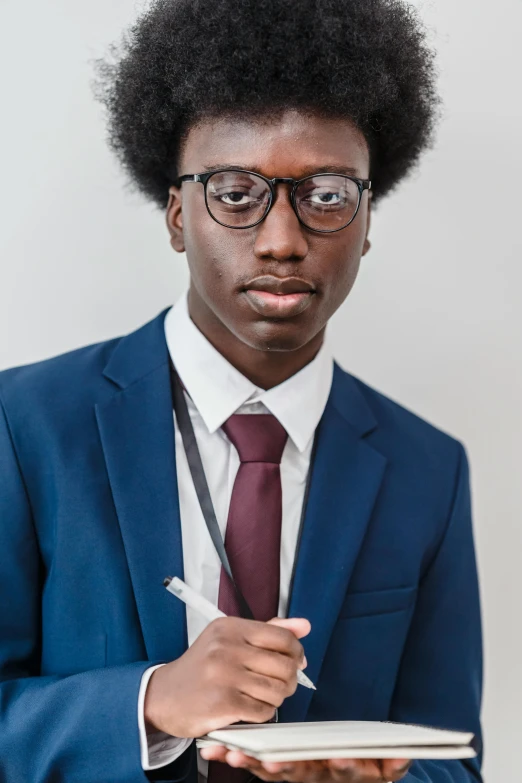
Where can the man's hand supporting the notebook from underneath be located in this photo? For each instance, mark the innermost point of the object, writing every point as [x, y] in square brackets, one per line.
[339, 770]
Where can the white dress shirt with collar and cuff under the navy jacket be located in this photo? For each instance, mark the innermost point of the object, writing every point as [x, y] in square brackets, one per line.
[216, 390]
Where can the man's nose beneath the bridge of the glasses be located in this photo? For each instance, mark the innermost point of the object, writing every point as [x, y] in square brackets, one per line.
[281, 236]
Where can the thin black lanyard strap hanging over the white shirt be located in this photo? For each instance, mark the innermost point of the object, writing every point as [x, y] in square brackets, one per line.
[201, 486]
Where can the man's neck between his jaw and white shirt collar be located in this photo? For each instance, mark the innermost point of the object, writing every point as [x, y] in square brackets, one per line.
[264, 368]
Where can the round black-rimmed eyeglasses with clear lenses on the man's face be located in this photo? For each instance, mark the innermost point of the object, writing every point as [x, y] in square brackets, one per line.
[237, 198]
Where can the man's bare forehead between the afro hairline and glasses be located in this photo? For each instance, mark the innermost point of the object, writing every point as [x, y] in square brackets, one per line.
[283, 145]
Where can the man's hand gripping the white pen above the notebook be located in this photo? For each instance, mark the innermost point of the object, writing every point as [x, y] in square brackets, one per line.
[235, 670]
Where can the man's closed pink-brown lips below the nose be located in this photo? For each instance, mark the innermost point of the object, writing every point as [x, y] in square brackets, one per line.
[276, 297]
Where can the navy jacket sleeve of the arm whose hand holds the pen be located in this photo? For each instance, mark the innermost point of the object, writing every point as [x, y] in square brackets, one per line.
[80, 728]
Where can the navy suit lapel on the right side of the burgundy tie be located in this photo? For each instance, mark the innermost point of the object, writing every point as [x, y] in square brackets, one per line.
[346, 477]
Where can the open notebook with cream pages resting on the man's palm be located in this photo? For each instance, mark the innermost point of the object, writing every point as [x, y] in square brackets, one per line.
[341, 739]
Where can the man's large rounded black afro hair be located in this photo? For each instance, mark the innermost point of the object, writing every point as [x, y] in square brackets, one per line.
[185, 60]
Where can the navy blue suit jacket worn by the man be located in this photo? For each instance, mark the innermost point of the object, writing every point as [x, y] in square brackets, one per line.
[89, 527]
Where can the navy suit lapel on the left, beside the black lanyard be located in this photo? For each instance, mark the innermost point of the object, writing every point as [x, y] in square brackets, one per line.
[137, 434]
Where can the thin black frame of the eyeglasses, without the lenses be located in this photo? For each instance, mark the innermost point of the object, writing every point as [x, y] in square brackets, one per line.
[362, 185]
